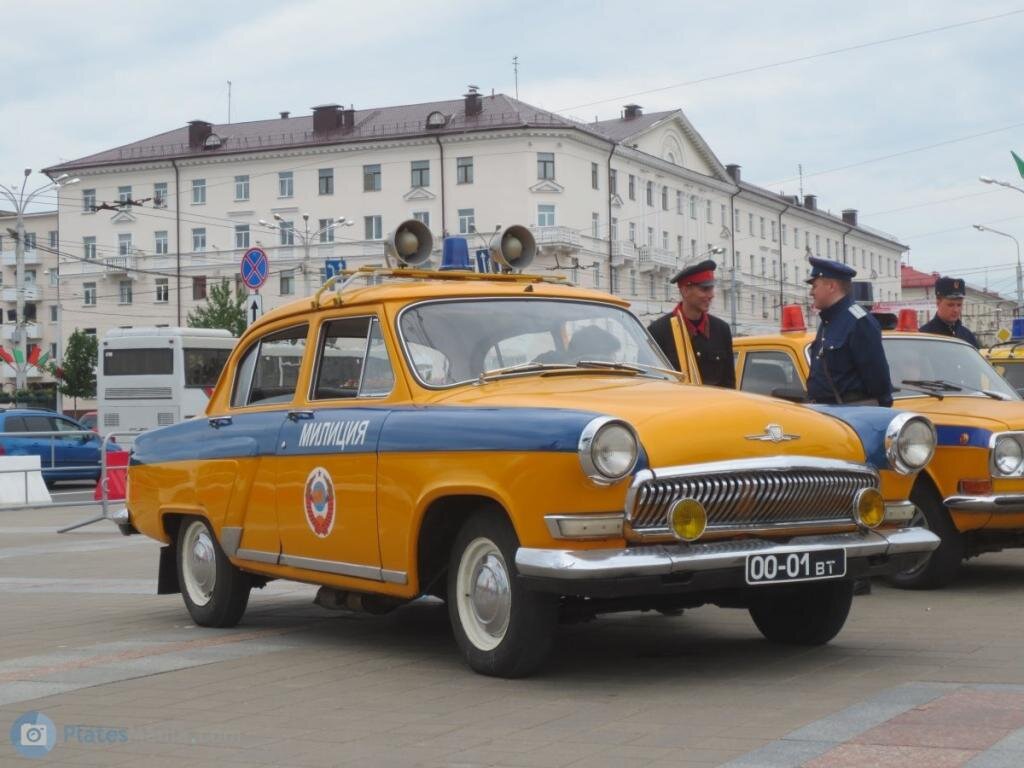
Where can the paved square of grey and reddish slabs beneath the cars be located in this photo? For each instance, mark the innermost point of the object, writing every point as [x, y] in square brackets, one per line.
[922, 678]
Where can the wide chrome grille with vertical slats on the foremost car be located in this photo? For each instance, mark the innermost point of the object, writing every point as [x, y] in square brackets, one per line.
[758, 497]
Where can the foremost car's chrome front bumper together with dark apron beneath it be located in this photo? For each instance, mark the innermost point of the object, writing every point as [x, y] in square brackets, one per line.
[691, 568]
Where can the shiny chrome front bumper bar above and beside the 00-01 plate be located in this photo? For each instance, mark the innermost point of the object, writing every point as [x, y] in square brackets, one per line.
[685, 559]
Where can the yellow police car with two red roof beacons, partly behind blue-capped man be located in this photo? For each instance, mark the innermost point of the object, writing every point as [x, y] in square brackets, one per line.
[972, 493]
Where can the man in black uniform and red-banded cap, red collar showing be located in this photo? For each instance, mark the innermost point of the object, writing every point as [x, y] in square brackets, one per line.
[710, 336]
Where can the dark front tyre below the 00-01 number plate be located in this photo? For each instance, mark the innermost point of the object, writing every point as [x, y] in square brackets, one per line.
[803, 615]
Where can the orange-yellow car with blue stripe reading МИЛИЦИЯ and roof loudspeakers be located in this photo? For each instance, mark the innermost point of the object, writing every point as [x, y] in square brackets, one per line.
[517, 447]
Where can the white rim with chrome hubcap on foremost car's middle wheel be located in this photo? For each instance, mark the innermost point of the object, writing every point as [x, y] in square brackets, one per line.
[485, 594]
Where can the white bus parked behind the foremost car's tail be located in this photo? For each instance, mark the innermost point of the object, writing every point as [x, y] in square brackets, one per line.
[152, 377]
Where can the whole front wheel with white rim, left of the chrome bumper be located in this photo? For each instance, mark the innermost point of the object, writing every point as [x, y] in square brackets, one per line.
[503, 629]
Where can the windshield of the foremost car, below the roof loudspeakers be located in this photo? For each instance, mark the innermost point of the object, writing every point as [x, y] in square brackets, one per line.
[452, 343]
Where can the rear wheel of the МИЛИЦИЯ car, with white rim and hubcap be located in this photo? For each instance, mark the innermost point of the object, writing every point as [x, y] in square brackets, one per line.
[216, 592]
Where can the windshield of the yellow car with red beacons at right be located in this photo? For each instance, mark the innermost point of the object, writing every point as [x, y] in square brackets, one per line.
[937, 360]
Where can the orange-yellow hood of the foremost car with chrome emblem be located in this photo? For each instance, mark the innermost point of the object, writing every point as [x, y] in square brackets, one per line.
[677, 423]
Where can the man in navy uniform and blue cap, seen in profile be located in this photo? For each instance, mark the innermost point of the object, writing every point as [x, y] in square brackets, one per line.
[848, 364]
